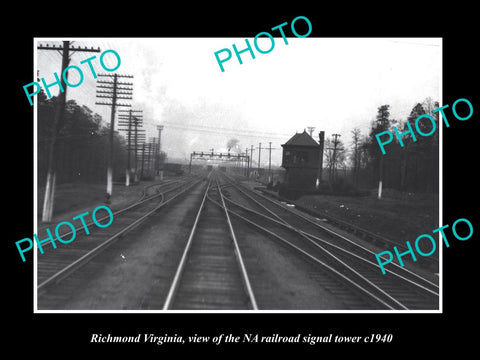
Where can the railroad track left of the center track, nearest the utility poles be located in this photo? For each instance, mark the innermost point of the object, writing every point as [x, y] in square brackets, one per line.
[56, 264]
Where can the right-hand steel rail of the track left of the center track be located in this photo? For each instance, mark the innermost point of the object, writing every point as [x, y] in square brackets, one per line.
[95, 251]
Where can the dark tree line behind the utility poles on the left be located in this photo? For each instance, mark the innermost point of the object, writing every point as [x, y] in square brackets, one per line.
[82, 144]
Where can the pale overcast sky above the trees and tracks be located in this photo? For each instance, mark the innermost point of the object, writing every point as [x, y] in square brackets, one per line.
[333, 84]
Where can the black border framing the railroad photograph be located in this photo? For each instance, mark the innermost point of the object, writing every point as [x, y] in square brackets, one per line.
[47, 334]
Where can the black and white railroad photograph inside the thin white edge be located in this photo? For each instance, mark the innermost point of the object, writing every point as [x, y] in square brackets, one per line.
[232, 187]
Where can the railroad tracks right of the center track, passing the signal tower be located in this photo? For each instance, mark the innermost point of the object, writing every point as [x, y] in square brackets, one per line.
[343, 259]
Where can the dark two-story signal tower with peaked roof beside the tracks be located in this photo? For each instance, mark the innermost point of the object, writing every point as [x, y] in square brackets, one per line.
[301, 159]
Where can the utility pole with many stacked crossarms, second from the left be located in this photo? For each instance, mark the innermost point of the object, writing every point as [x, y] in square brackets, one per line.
[114, 90]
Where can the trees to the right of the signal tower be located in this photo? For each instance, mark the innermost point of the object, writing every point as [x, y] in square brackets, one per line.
[411, 168]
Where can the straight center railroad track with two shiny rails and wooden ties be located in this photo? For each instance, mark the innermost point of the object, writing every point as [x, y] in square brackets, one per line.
[211, 273]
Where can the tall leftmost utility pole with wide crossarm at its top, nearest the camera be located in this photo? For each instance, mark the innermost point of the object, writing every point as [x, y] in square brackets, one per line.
[65, 51]
